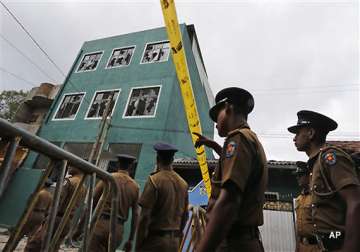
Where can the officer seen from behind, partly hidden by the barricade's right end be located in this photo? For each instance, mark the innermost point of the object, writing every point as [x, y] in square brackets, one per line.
[129, 195]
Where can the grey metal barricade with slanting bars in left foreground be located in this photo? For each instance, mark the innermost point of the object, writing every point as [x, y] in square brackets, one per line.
[59, 160]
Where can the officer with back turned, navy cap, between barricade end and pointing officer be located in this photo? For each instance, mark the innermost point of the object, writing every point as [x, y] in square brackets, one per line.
[164, 205]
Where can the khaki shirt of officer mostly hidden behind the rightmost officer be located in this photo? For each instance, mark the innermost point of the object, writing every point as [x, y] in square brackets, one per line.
[304, 224]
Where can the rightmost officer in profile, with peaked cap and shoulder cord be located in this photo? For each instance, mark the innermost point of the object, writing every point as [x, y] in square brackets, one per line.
[334, 185]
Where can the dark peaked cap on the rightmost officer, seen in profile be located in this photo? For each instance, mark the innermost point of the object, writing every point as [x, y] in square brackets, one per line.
[313, 119]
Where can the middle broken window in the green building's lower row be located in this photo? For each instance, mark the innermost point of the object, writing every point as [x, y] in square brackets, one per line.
[99, 102]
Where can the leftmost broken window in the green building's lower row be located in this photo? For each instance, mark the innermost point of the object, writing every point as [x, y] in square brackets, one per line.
[69, 106]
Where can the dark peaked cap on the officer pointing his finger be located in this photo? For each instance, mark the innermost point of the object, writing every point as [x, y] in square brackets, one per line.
[235, 96]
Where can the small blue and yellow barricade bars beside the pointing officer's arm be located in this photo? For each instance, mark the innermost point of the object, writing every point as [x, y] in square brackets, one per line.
[194, 229]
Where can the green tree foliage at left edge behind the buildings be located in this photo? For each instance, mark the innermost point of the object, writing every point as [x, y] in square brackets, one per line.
[10, 100]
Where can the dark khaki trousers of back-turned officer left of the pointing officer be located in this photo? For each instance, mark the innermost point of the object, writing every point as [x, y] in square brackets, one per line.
[160, 243]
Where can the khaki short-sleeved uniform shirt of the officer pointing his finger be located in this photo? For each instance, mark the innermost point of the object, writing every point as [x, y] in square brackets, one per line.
[243, 162]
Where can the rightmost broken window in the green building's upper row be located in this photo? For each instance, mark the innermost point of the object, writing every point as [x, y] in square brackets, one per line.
[156, 52]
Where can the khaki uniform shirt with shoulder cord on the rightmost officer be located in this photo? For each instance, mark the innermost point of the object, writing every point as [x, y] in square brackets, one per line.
[328, 213]
